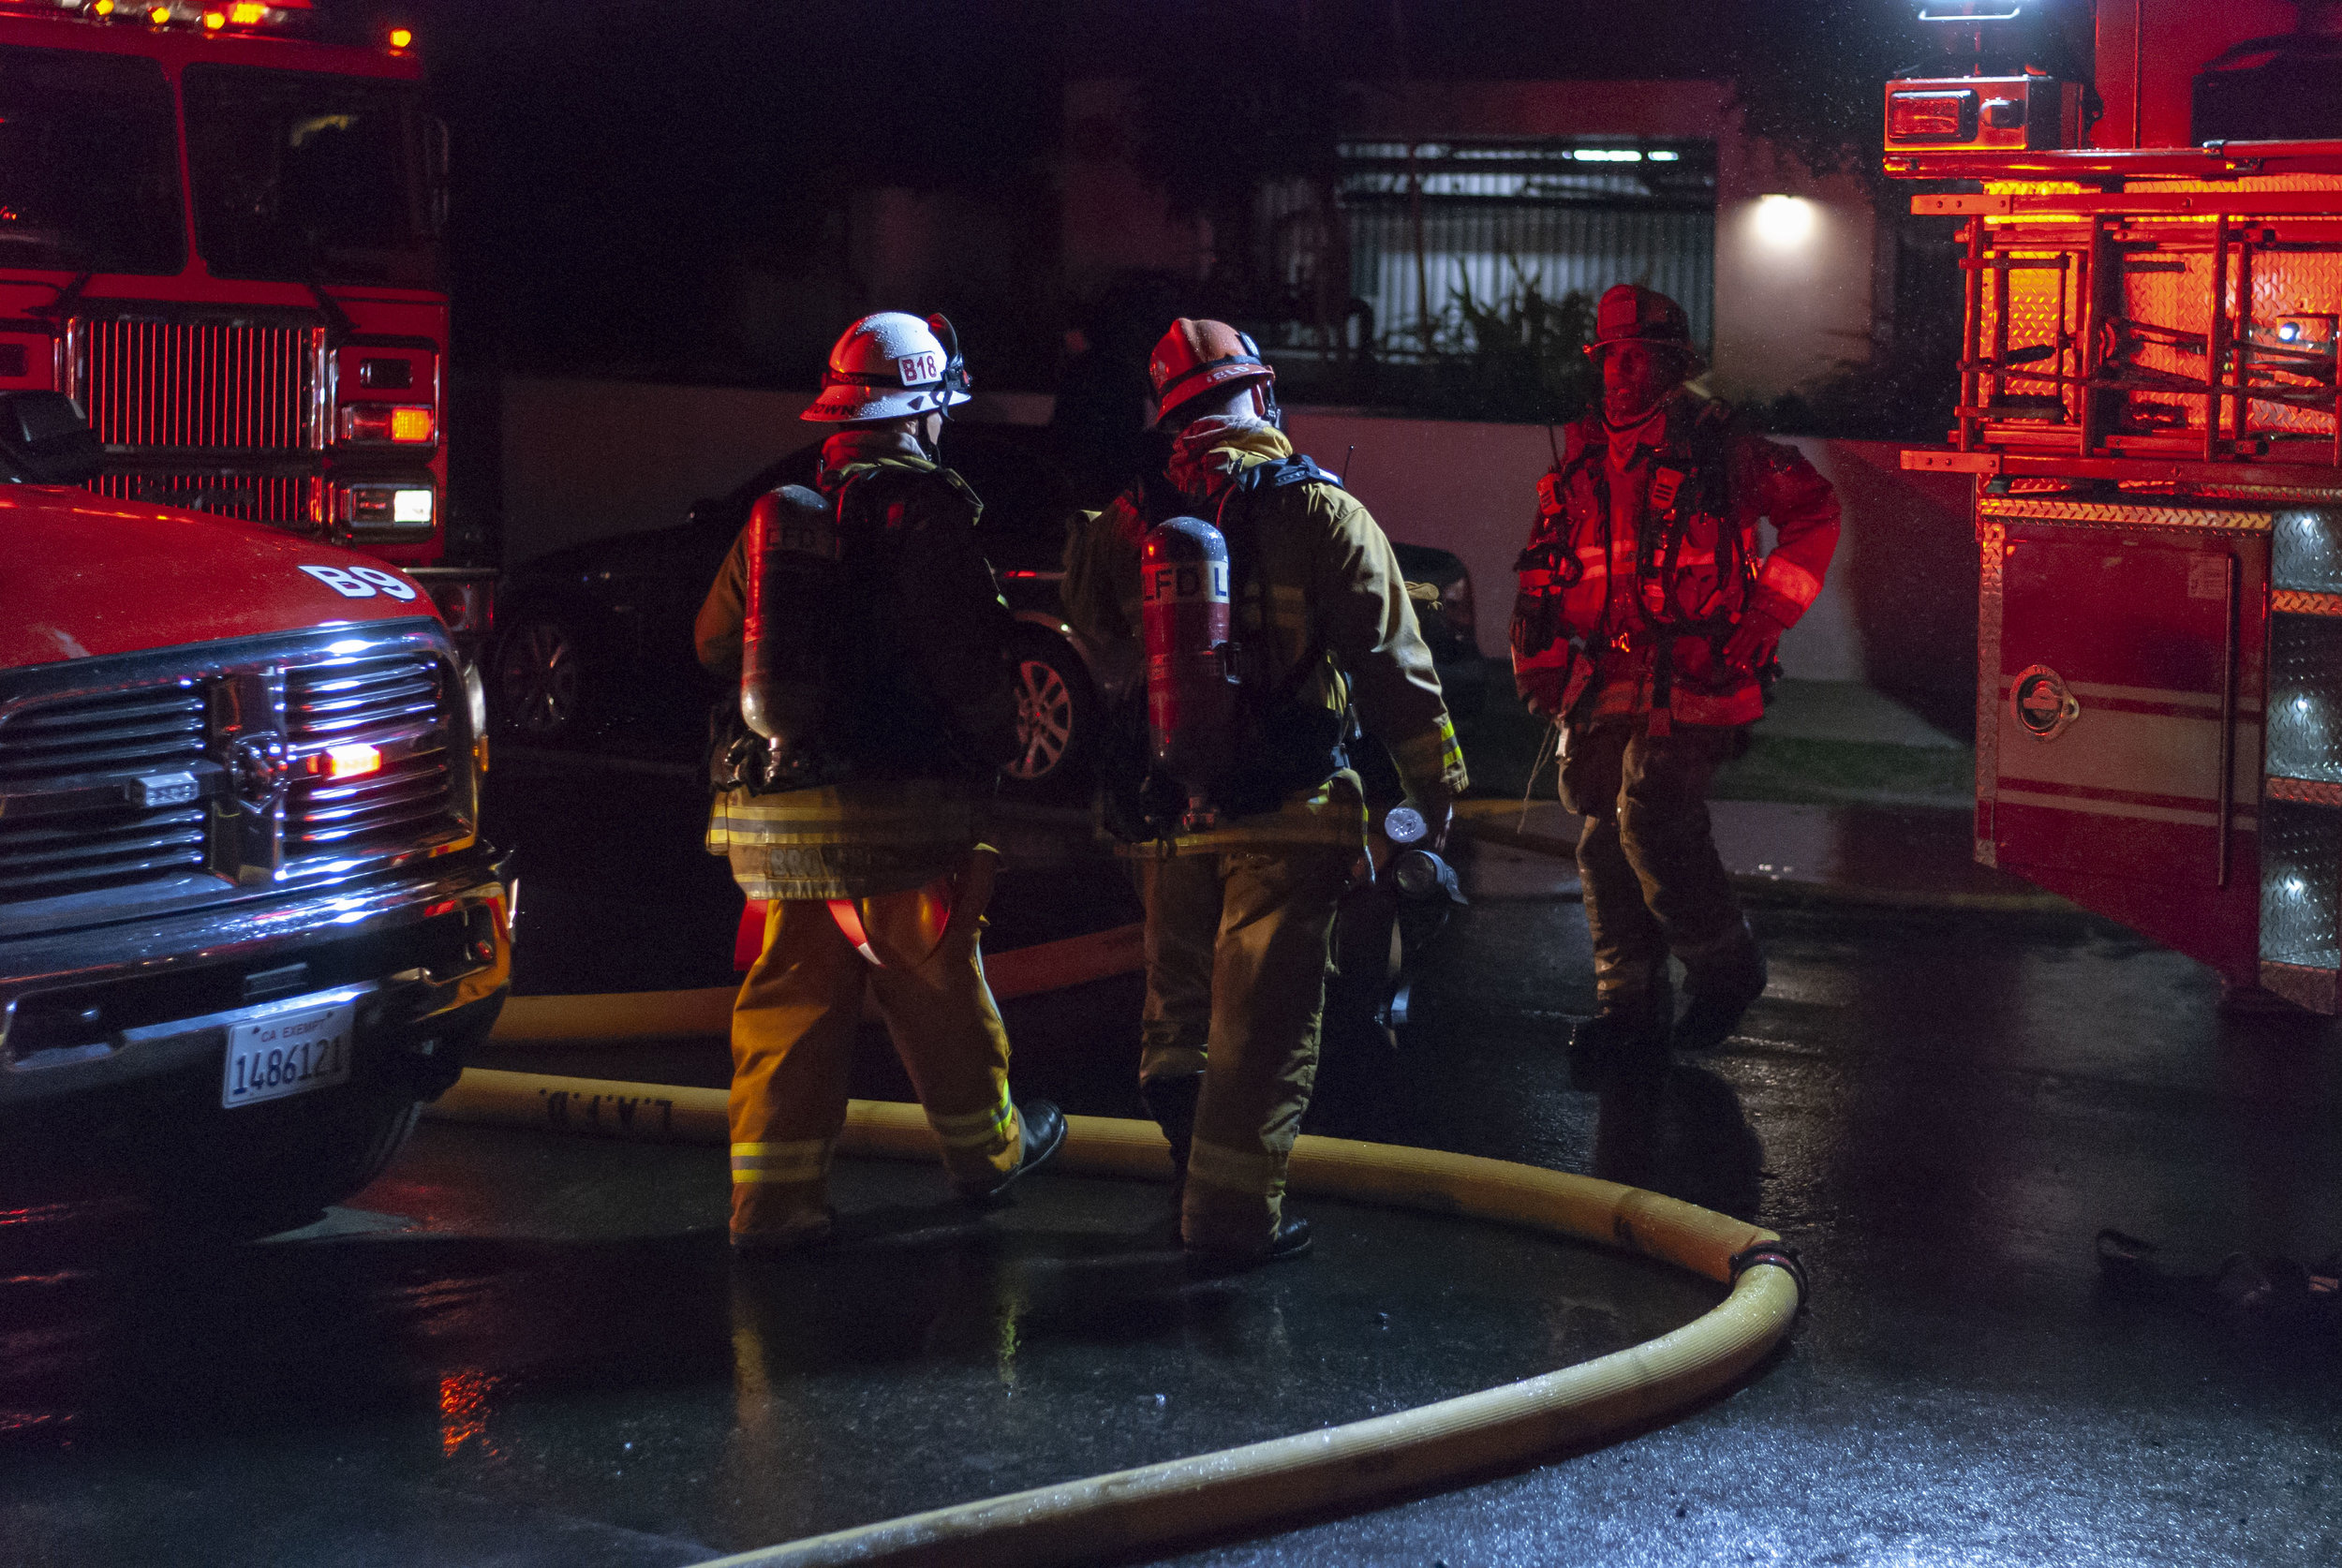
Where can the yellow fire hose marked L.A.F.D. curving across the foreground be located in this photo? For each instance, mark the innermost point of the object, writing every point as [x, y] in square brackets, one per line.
[1240, 1490]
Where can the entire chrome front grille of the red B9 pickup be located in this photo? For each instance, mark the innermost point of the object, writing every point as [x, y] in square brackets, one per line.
[210, 769]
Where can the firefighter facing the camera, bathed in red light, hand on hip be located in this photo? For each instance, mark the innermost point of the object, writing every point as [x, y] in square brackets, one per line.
[1645, 628]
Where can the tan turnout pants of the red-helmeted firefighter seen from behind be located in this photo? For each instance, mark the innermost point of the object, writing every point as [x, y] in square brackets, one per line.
[1238, 951]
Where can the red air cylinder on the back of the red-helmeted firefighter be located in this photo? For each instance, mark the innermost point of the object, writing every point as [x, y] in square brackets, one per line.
[1191, 668]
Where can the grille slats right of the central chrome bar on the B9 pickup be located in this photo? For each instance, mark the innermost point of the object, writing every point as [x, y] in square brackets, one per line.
[395, 703]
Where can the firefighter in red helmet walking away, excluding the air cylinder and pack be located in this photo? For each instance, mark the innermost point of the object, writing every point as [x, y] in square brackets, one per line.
[1242, 902]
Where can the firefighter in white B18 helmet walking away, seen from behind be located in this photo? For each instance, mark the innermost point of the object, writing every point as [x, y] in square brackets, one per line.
[882, 713]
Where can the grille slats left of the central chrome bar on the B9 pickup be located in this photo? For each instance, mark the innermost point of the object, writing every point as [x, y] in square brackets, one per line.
[90, 743]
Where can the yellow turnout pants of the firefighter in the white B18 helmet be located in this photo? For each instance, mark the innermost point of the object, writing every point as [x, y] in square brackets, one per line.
[795, 1036]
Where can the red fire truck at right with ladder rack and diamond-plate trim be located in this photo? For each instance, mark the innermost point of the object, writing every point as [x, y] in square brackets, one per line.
[2153, 420]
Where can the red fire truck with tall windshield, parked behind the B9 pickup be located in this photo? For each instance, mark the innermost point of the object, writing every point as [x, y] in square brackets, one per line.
[219, 235]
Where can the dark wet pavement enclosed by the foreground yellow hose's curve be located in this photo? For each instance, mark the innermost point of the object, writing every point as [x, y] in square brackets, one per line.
[655, 1384]
